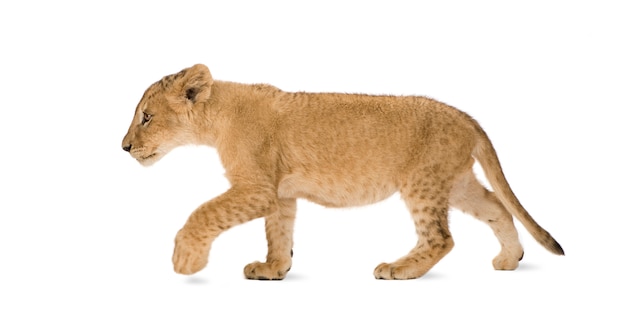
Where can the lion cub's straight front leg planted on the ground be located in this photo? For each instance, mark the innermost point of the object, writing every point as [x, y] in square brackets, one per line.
[279, 233]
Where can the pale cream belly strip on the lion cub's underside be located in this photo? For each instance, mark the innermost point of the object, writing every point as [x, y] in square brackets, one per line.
[330, 191]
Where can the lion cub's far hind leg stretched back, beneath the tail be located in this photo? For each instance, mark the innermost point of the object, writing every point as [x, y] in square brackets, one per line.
[471, 197]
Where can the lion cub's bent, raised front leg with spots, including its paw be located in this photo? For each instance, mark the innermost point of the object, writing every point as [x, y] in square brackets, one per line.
[236, 206]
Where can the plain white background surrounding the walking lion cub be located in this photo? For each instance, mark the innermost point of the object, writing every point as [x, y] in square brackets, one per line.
[84, 229]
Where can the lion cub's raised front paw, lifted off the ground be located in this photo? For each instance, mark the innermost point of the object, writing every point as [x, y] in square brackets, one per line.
[191, 253]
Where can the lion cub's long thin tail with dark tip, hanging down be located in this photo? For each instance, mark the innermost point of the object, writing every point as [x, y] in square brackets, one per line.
[486, 155]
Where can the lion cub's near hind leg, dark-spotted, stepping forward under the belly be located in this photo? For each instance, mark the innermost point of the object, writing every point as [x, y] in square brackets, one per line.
[427, 200]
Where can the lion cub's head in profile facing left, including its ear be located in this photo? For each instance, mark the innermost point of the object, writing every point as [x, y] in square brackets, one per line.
[168, 115]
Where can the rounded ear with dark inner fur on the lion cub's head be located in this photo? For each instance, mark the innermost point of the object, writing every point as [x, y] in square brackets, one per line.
[191, 85]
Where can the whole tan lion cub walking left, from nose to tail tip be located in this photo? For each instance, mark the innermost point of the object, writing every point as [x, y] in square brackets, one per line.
[337, 150]
